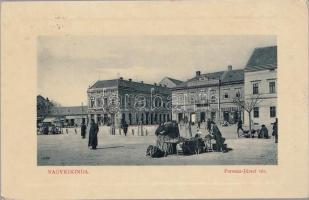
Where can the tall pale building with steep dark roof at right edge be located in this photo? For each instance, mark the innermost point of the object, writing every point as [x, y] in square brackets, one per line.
[261, 82]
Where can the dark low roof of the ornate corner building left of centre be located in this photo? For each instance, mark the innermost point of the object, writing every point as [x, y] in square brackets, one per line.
[121, 83]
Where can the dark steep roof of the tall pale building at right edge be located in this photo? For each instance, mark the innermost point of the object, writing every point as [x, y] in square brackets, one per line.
[262, 58]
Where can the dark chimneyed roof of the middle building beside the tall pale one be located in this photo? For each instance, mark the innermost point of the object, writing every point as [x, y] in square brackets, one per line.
[226, 77]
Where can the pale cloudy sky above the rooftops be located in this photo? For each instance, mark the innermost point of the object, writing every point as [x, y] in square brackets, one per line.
[68, 65]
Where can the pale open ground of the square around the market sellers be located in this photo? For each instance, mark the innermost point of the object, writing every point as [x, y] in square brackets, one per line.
[71, 149]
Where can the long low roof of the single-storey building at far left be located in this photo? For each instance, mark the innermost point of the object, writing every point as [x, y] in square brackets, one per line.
[71, 110]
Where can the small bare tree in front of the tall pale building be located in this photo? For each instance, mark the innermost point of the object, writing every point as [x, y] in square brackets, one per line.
[248, 105]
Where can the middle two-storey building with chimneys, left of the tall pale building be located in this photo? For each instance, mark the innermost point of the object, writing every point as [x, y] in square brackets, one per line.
[209, 96]
